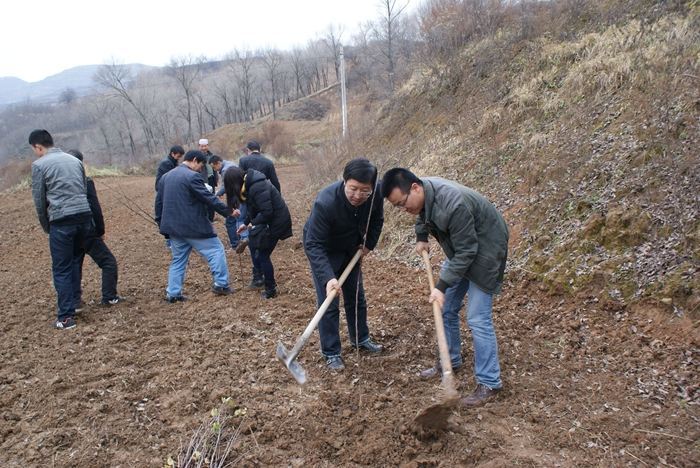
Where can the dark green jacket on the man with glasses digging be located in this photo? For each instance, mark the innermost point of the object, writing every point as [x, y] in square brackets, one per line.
[470, 230]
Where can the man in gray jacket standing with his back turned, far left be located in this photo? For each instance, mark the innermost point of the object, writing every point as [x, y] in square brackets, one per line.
[59, 189]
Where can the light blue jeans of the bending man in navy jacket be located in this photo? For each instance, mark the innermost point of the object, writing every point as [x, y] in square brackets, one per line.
[210, 248]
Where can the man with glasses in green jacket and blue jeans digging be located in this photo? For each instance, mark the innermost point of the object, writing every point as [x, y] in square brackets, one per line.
[474, 236]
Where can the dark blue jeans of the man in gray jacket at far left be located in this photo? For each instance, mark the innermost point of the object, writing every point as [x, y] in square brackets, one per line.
[65, 245]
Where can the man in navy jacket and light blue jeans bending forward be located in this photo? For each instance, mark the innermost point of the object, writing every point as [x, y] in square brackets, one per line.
[185, 219]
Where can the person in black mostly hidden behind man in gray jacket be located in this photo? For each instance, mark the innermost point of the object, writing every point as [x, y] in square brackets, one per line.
[95, 247]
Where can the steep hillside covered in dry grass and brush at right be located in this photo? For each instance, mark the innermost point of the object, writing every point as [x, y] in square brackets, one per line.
[588, 145]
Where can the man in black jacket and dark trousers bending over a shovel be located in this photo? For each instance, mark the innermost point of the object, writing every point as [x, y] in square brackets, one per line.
[347, 215]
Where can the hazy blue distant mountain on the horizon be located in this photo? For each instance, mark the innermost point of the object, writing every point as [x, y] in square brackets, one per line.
[48, 90]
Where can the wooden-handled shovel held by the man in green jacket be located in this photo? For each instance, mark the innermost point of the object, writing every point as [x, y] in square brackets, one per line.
[435, 416]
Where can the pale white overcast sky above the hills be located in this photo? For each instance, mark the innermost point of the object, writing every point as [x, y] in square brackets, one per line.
[41, 38]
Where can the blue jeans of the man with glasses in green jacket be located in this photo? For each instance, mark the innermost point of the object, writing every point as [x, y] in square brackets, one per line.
[480, 322]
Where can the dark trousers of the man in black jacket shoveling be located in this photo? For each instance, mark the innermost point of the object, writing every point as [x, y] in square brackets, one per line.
[328, 327]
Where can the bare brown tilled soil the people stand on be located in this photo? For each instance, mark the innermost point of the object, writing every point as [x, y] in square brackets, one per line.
[587, 383]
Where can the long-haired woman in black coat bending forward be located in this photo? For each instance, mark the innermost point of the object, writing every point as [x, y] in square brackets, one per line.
[265, 207]
